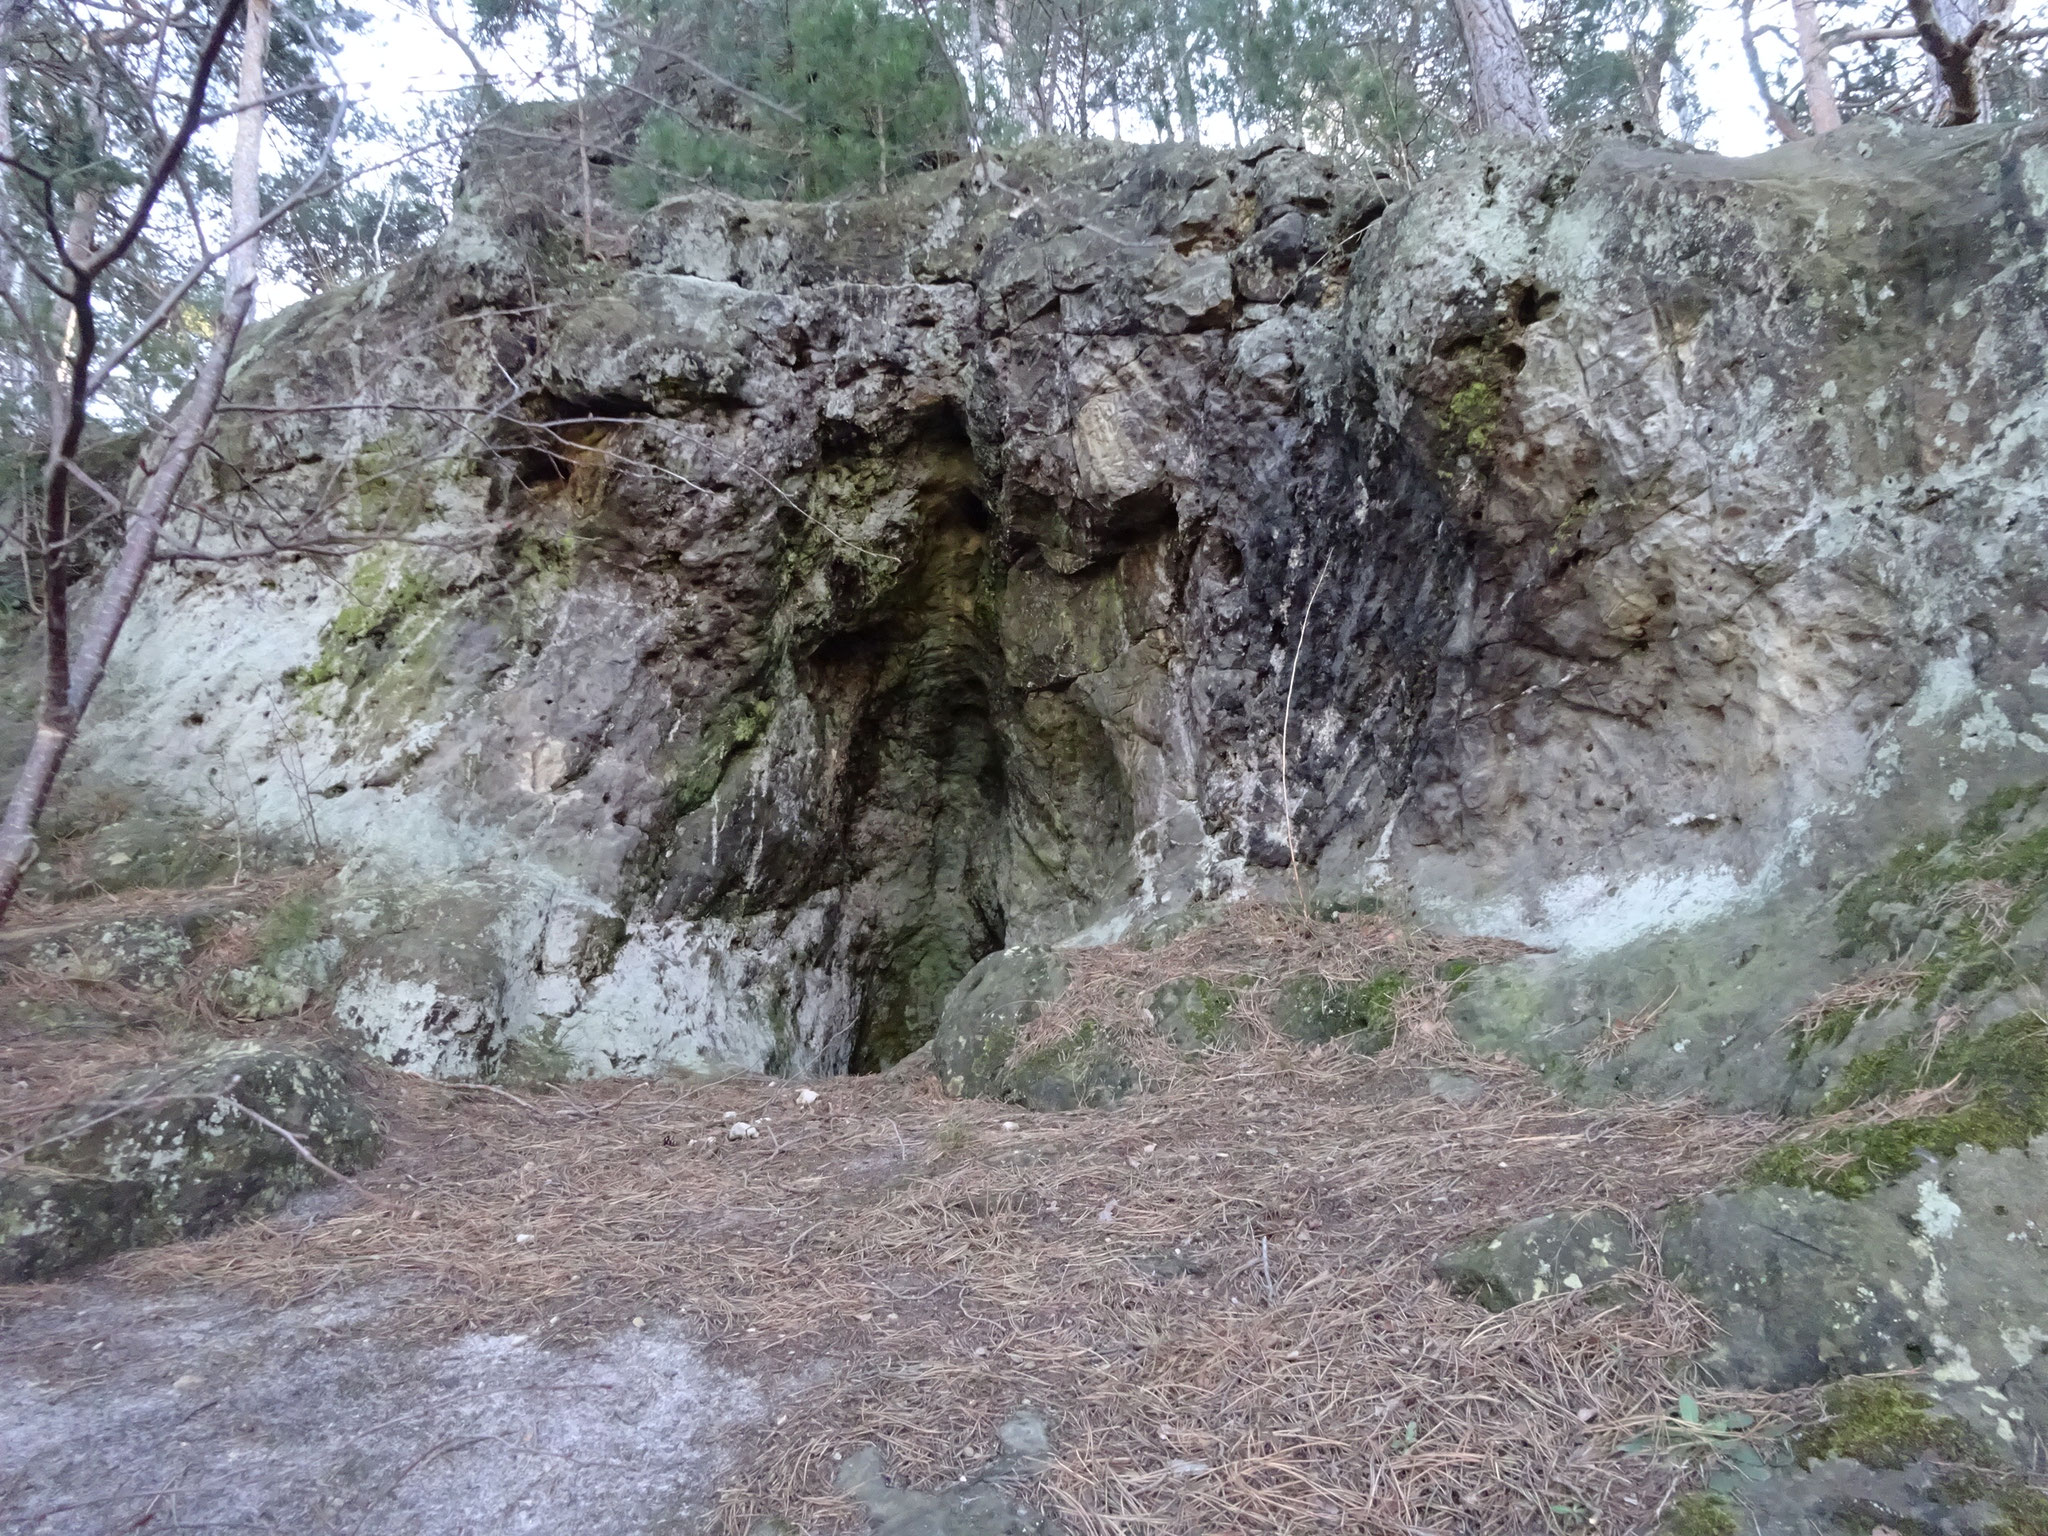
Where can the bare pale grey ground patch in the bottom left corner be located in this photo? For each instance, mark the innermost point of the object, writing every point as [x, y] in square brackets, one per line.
[325, 1418]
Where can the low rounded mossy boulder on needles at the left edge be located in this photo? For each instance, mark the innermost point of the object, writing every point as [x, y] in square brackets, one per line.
[177, 1152]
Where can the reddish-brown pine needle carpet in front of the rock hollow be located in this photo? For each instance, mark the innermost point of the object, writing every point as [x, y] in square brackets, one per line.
[1220, 1295]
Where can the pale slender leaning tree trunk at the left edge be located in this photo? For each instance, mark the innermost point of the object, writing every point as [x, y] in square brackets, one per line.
[58, 728]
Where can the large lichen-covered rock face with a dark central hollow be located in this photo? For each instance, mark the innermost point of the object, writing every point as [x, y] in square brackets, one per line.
[779, 609]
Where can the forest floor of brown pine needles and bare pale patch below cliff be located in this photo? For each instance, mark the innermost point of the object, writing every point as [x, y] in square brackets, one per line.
[597, 1308]
